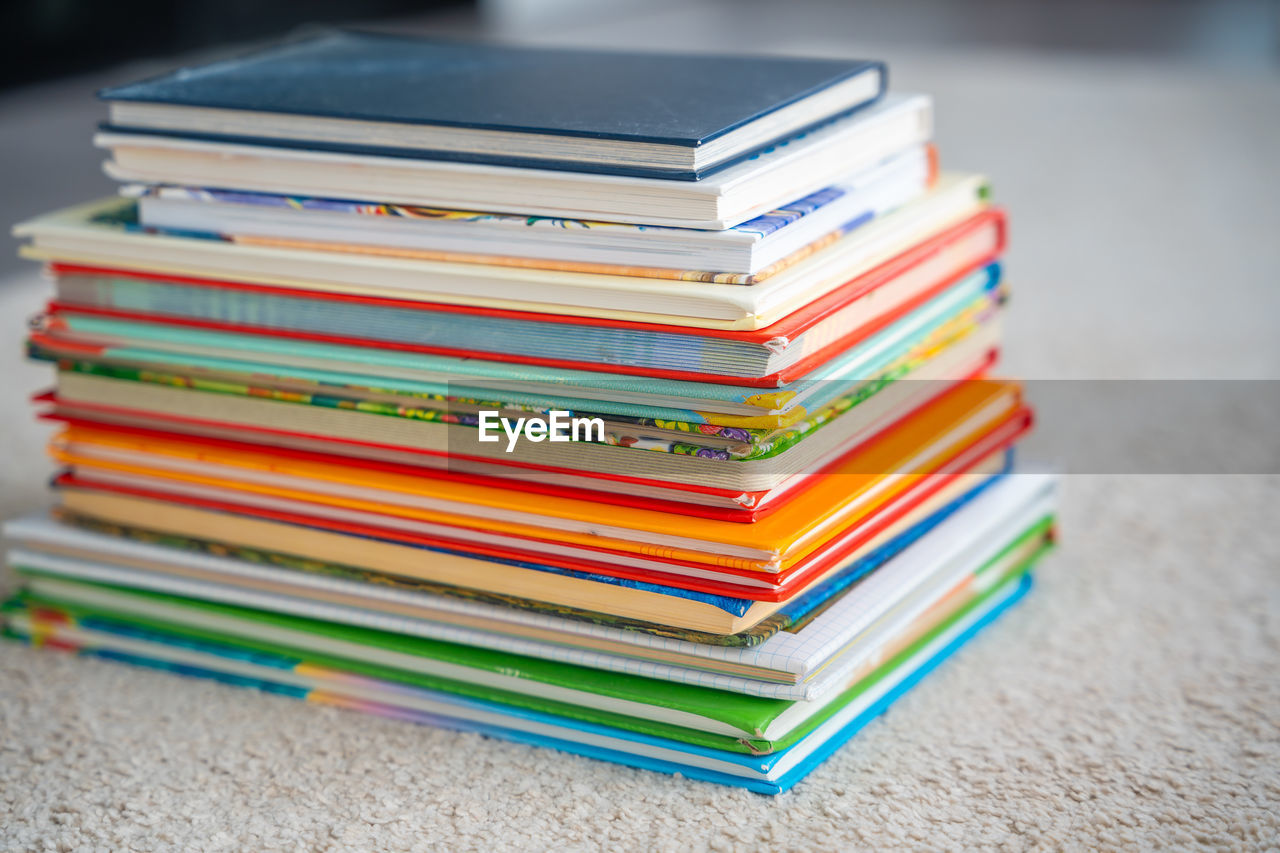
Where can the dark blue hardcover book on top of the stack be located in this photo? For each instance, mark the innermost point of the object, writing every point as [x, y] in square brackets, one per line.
[620, 113]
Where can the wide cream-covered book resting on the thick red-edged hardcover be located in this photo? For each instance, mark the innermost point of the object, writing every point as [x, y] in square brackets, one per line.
[93, 235]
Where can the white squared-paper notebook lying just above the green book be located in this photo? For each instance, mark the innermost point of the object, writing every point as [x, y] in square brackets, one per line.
[801, 664]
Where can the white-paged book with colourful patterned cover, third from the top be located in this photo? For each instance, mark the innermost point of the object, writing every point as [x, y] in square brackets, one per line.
[450, 235]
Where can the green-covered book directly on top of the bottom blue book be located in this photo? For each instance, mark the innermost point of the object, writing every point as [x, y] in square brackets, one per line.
[687, 713]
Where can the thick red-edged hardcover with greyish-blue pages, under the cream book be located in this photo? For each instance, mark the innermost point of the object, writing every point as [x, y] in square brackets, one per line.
[561, 341]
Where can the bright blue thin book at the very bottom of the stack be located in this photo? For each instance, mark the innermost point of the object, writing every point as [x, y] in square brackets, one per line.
[771, 773]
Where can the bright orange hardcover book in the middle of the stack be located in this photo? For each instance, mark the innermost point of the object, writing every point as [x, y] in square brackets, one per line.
[854, 491]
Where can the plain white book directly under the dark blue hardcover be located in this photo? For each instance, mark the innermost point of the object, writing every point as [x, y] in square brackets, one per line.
[723, 200]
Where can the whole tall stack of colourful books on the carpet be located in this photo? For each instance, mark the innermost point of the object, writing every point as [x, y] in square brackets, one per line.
[633, 405]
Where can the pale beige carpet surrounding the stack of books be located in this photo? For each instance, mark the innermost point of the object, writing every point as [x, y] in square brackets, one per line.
[1132, 701]
